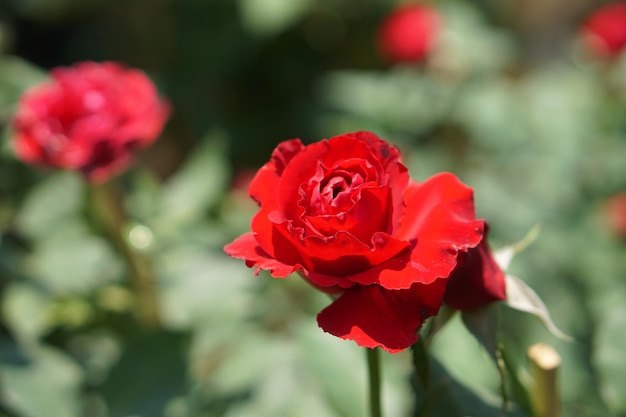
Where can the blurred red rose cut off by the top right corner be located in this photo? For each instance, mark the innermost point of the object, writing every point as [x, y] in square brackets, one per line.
[605, 30]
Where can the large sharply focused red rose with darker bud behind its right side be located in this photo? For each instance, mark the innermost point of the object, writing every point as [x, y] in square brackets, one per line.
[344, 214]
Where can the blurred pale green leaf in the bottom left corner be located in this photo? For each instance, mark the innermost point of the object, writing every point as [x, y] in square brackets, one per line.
[39, 382]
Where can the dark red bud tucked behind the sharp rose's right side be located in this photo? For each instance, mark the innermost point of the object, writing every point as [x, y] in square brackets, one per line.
[477, 280]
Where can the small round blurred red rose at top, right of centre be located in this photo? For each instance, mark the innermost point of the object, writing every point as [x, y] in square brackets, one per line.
[408, 33]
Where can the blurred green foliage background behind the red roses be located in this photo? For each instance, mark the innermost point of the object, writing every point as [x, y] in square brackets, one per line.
[509, 101]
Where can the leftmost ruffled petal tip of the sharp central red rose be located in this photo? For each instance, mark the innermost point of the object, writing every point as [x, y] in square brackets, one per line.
[247, 248]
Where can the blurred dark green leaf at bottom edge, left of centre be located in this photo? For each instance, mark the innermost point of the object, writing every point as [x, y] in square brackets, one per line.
[149, 374]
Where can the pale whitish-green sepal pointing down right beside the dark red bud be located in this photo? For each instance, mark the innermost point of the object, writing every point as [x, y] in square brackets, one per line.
[520, 296]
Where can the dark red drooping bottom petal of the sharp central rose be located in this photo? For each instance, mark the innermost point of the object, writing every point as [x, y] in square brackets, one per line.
[373, 316]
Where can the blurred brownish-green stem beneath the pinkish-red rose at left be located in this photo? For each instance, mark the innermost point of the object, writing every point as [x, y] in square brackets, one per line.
[111, 214]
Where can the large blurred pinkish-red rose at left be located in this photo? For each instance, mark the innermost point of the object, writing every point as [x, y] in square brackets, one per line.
[89, 117]
